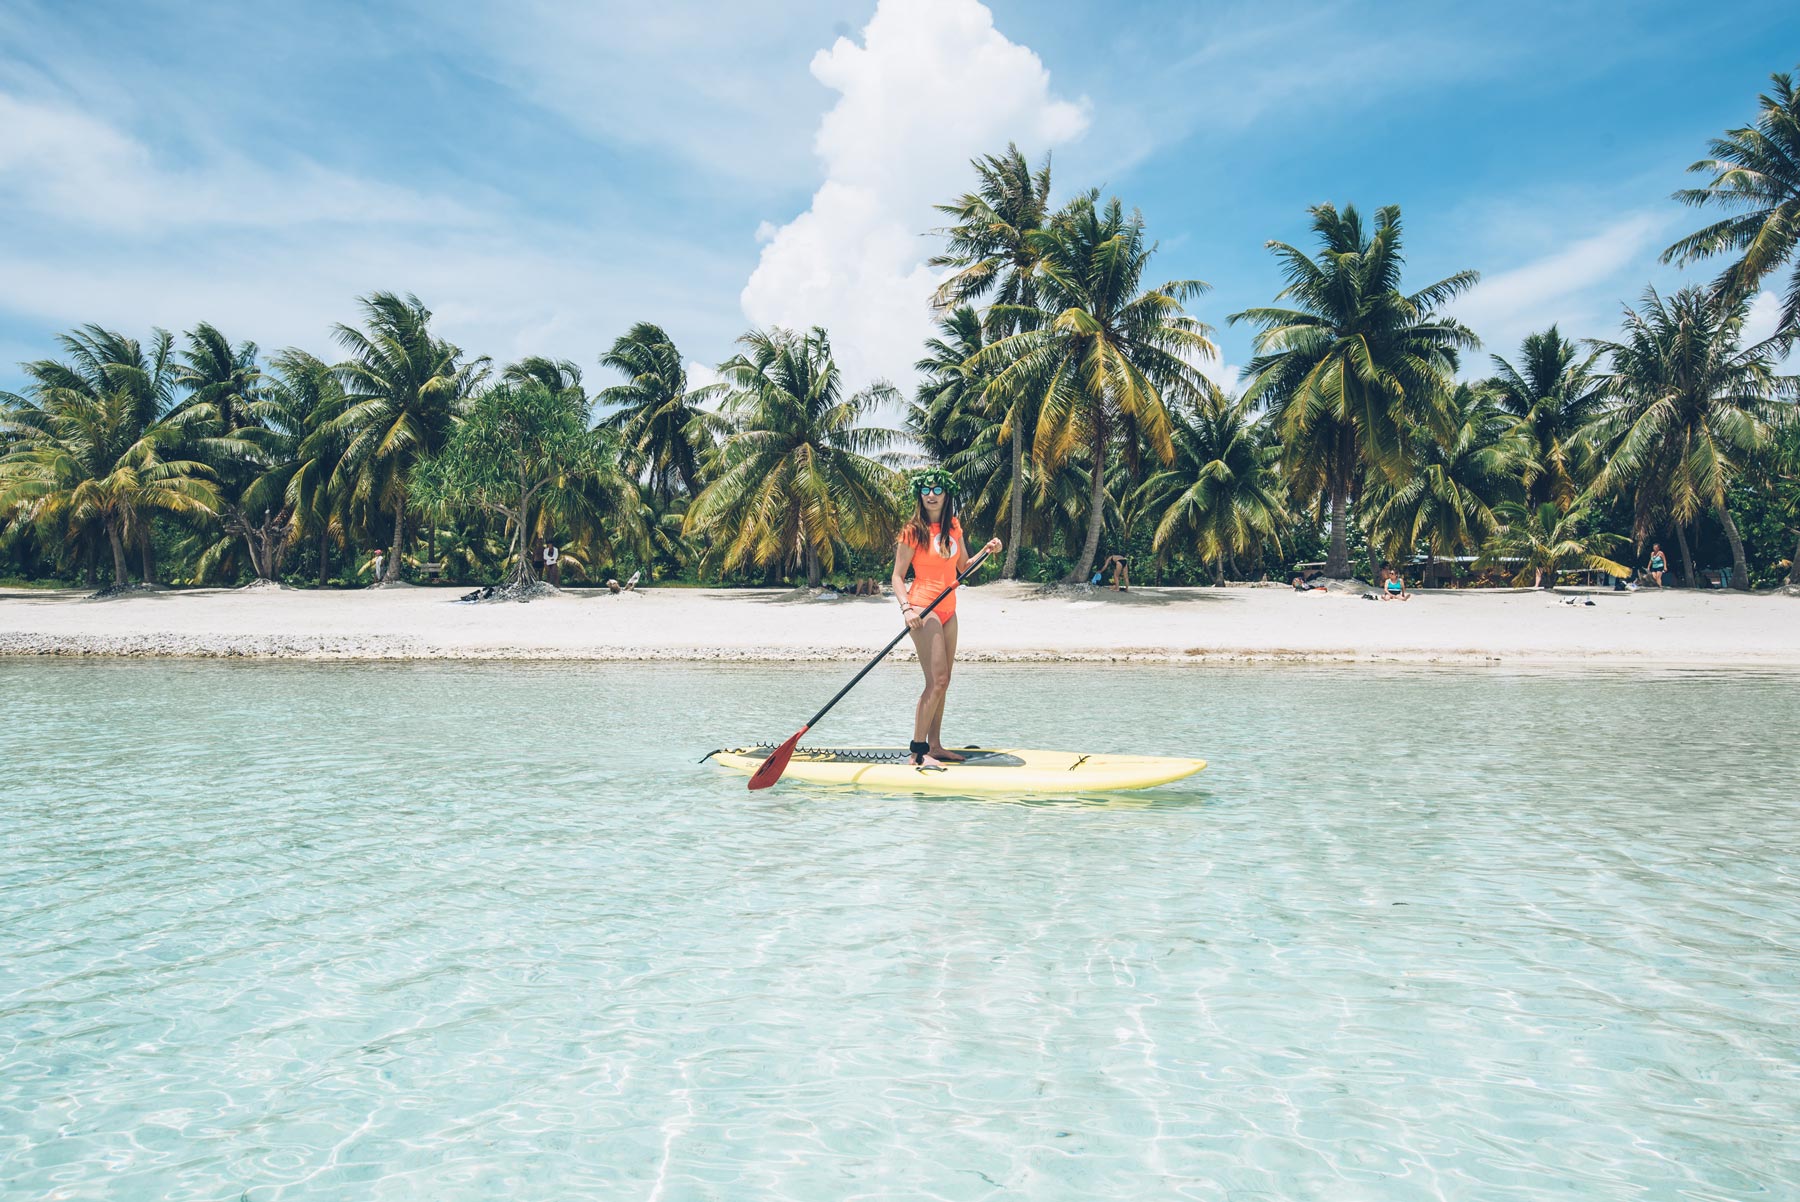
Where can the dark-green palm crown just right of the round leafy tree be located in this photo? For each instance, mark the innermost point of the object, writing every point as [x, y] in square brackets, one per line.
[665, 424]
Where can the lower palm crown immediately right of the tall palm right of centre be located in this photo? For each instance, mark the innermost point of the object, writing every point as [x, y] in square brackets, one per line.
[1450, 499]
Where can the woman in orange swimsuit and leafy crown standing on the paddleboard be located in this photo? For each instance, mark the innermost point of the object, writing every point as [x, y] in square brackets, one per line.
[931, 546]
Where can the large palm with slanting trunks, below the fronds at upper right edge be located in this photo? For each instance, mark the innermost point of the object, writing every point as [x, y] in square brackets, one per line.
[1687, 404]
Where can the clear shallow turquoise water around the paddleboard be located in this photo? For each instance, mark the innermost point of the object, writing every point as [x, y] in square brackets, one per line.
[280, 931]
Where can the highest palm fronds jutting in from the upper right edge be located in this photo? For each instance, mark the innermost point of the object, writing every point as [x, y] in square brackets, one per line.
[1758, 172]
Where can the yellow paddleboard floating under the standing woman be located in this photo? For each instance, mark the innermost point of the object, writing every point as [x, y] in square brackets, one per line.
[985, 771]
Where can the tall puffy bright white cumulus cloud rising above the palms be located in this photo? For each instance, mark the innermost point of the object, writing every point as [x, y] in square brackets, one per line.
[931, 85]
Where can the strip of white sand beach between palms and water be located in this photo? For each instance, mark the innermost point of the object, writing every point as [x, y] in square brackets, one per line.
[1000, 623]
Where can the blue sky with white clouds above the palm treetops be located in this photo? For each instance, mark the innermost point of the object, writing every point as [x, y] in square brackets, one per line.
[543, 175]
